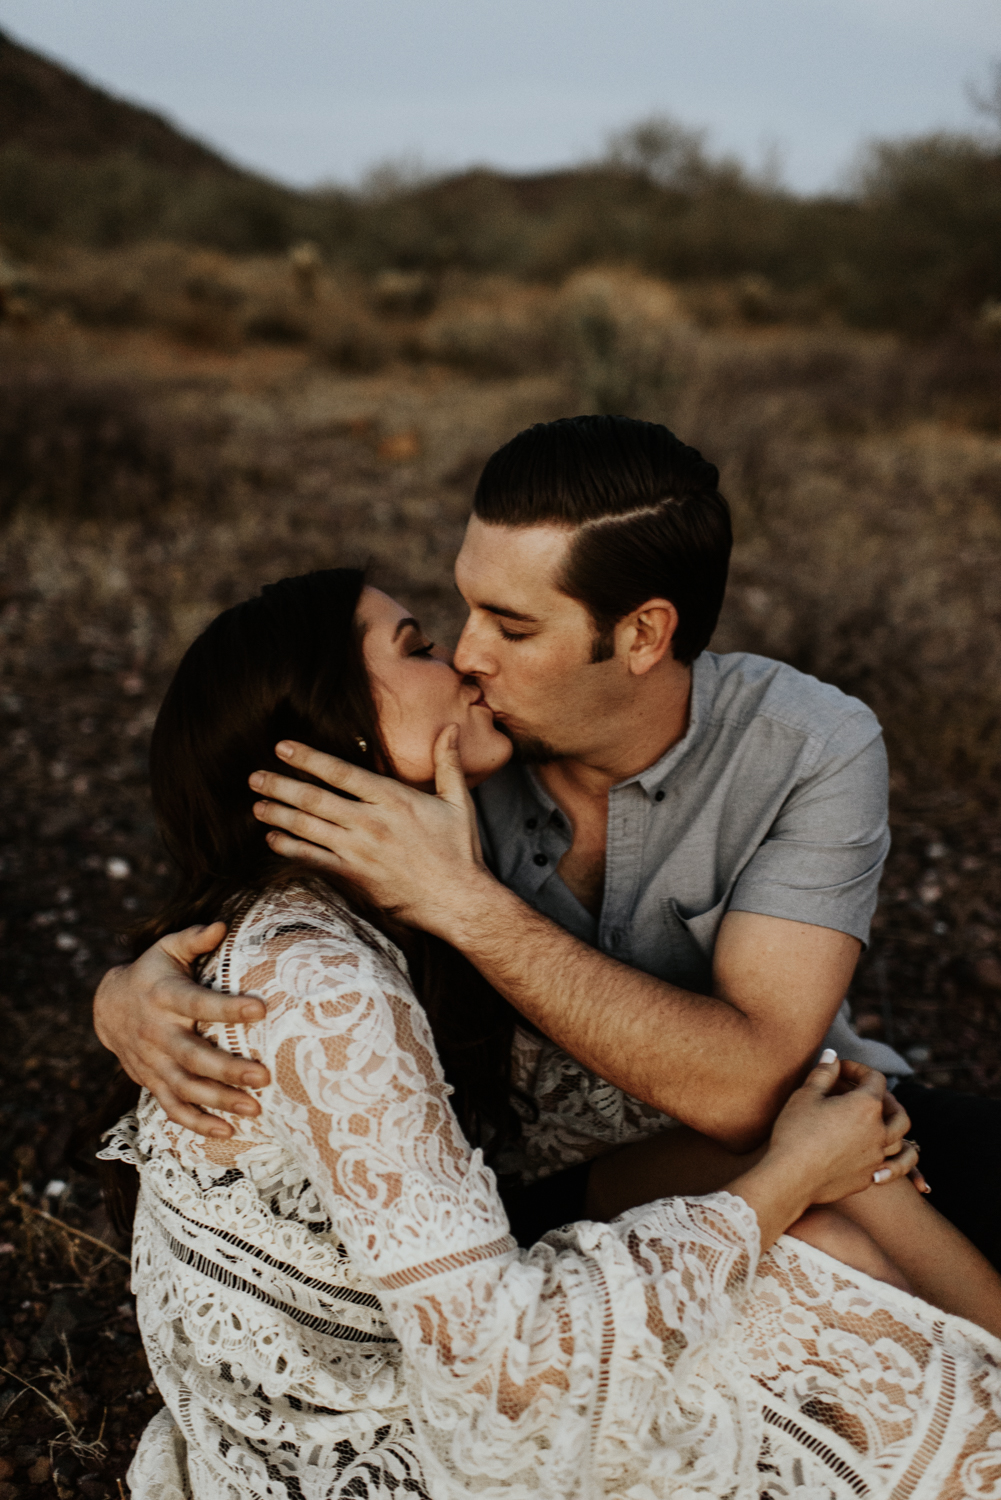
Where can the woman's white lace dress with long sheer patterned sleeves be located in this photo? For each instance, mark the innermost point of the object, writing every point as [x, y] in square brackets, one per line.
[334, 1307]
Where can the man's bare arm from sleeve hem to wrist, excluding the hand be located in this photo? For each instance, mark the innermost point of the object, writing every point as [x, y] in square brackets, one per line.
[723, 1063]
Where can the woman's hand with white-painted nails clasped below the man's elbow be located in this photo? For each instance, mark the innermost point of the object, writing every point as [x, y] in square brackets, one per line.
[838, 1135]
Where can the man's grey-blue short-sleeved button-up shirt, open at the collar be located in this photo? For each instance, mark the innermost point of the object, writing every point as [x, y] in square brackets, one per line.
[774, 802]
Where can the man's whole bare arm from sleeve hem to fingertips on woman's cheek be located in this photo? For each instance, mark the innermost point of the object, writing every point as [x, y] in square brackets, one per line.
[723, 1064]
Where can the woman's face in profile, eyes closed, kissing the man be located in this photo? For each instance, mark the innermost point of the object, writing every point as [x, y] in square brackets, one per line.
[418, 694]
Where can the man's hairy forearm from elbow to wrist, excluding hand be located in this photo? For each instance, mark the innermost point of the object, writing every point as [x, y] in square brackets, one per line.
[696, 1057]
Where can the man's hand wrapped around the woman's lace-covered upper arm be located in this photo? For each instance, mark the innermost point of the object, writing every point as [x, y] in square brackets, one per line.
[146, 1015]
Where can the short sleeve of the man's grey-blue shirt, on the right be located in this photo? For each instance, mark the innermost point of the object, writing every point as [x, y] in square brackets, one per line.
[825, 854]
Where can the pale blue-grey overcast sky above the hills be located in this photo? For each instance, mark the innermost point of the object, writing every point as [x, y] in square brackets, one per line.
[313, 91]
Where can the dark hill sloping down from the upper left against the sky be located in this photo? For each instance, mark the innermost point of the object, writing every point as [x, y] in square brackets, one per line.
[52, 113]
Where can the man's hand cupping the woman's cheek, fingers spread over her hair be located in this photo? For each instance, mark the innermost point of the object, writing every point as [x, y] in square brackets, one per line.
[412, 854]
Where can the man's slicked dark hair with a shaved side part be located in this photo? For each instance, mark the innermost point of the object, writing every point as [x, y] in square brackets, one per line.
[651, 521]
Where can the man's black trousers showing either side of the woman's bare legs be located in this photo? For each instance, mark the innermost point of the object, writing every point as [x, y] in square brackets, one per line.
[960, 1136]
